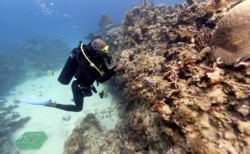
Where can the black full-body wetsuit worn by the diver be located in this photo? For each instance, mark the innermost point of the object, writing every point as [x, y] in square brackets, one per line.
[85, 77]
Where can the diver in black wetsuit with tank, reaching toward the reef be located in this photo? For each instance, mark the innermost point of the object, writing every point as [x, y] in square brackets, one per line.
[87, 63]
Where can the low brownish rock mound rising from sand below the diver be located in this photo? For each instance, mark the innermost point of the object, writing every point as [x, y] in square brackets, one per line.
[88, 137]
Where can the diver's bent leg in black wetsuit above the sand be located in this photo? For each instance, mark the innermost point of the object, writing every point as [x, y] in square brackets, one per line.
[78, 99]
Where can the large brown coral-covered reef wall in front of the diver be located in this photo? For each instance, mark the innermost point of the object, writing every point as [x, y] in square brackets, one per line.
[175, 98]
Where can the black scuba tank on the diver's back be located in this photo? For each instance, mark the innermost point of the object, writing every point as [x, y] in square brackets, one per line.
[69, 69]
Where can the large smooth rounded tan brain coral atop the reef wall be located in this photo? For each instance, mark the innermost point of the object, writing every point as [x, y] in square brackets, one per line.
[231, 40]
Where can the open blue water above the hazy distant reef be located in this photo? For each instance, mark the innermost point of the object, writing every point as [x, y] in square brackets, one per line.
[68, 20]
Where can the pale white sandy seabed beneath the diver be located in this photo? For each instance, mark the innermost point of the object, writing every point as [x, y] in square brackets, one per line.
[50, 120]
